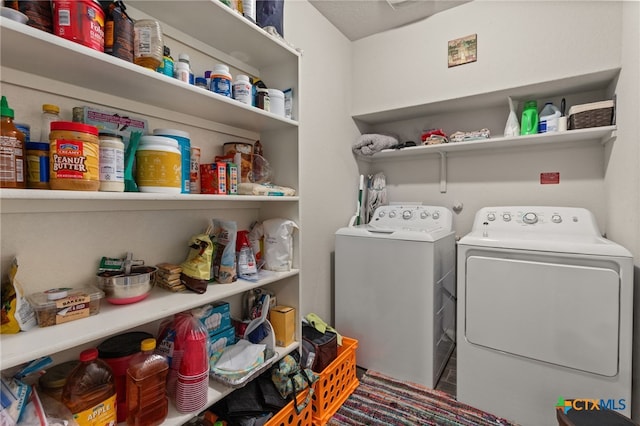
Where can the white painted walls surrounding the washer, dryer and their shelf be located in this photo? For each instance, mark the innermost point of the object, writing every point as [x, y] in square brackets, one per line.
[518, 42]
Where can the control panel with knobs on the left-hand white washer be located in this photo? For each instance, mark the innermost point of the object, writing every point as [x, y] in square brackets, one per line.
[412, 218]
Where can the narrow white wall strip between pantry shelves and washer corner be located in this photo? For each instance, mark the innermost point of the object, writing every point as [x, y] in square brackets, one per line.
[328, 172]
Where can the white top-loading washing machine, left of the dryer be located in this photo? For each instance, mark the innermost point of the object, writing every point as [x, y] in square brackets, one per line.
[395, 290]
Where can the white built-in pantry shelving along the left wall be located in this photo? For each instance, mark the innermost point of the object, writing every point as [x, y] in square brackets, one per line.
[36, 60]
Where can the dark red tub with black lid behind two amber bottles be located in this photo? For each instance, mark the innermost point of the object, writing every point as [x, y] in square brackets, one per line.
[117, 351]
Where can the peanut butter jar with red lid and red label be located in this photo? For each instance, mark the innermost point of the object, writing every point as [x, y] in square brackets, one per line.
[74, 156]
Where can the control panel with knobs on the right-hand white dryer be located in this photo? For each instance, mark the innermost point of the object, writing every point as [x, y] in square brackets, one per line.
[536, 219]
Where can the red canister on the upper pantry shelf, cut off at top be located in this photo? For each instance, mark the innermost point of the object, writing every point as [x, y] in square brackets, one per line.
[81, 21]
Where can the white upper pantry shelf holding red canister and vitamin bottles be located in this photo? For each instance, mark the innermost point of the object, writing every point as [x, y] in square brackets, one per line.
[38, 53]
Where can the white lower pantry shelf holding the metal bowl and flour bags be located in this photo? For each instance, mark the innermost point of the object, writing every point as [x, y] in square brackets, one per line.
[22, 347]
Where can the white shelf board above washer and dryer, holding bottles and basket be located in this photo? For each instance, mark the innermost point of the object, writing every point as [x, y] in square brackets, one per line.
[601, 134]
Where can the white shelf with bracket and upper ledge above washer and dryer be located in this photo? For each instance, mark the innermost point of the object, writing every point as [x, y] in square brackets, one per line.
[580, 84]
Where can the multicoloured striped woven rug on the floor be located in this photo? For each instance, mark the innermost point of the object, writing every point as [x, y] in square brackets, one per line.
[383, 401]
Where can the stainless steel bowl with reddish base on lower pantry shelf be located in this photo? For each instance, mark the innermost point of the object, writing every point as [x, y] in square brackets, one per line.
[123, 289]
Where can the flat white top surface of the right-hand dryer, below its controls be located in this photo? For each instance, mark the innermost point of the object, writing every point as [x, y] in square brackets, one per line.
[558, 243]
